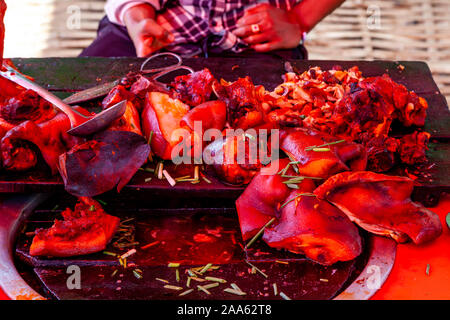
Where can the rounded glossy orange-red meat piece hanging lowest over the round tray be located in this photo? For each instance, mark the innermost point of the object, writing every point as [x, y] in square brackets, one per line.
[315, 228]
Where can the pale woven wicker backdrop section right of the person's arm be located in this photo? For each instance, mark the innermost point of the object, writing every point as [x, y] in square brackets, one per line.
[407, 30]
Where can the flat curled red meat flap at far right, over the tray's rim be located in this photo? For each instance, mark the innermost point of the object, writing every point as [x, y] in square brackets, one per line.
[381, 204]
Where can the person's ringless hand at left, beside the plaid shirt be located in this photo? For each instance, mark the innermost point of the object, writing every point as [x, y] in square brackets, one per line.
[147, 35]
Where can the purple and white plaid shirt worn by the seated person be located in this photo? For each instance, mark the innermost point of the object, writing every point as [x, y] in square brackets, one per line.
[197, 24]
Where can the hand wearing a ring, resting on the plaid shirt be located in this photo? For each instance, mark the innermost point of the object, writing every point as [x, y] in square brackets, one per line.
[267, 28]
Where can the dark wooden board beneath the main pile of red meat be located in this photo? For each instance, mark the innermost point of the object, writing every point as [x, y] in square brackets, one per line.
[67, 75]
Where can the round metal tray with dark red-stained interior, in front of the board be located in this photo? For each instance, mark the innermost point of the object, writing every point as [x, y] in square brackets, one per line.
[295, 275]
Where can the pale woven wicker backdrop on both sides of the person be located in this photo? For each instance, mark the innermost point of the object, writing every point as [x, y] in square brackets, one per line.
[407, 30]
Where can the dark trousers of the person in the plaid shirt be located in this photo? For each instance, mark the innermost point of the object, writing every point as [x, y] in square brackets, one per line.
[113, 41]
